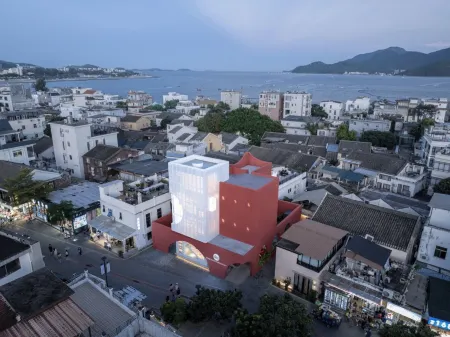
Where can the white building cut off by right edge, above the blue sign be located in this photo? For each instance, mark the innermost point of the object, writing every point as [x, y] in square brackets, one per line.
[435, 241]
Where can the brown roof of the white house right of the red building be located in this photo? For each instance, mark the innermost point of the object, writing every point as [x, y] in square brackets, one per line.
[313, 239]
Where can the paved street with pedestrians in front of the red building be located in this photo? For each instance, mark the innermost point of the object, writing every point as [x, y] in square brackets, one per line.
[151, 272]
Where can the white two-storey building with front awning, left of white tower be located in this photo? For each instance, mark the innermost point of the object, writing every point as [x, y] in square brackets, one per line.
[128, 216]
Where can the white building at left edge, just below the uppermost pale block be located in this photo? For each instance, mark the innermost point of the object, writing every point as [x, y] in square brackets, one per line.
[31, 123]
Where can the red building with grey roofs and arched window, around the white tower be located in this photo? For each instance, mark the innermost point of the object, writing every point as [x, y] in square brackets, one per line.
[251, 219]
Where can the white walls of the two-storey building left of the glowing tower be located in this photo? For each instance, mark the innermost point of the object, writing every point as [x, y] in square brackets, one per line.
[136, 216]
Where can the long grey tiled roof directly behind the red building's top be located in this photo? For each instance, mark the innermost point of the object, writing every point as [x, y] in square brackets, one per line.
[293, 160]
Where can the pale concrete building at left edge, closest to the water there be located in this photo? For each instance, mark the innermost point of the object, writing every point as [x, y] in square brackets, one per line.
[15, 97]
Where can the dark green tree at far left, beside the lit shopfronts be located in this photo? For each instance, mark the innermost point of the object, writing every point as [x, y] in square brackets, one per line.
[22, 188]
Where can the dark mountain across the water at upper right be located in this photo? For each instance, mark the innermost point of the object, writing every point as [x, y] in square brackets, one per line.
[387, 61]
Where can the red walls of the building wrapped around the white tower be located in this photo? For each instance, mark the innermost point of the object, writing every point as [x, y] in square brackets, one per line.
[252, 216]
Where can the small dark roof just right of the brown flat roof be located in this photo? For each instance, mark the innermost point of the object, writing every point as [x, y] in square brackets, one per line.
[369, 250]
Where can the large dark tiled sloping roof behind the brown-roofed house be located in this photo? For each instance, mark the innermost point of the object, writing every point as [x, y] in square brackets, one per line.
[388, 227]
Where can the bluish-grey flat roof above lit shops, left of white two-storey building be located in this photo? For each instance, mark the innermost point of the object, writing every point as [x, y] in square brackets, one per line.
[82, 194]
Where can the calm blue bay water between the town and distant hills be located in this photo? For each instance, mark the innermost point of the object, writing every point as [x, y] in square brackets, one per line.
[322, 87]
